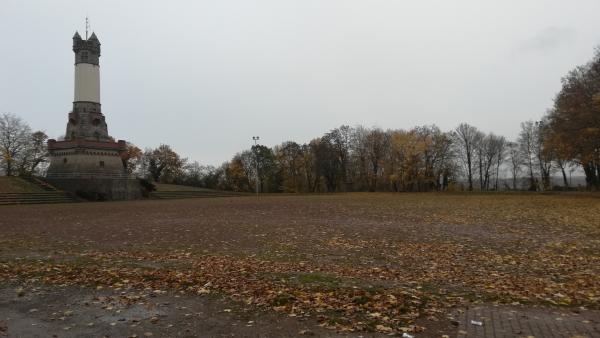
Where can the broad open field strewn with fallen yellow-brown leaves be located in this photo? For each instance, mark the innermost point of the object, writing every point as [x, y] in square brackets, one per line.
[352, 264]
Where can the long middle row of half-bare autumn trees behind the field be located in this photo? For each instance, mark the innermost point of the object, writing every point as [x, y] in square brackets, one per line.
[420, 159]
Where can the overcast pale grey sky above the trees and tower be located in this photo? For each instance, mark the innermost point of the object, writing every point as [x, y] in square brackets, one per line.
[205, 76]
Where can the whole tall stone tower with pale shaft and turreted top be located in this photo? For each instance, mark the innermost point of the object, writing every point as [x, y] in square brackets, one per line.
[88, 161]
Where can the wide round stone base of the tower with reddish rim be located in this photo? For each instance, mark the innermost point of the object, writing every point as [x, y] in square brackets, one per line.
[91, 170]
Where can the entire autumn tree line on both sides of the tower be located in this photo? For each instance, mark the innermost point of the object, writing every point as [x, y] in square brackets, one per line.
[424, 158]
